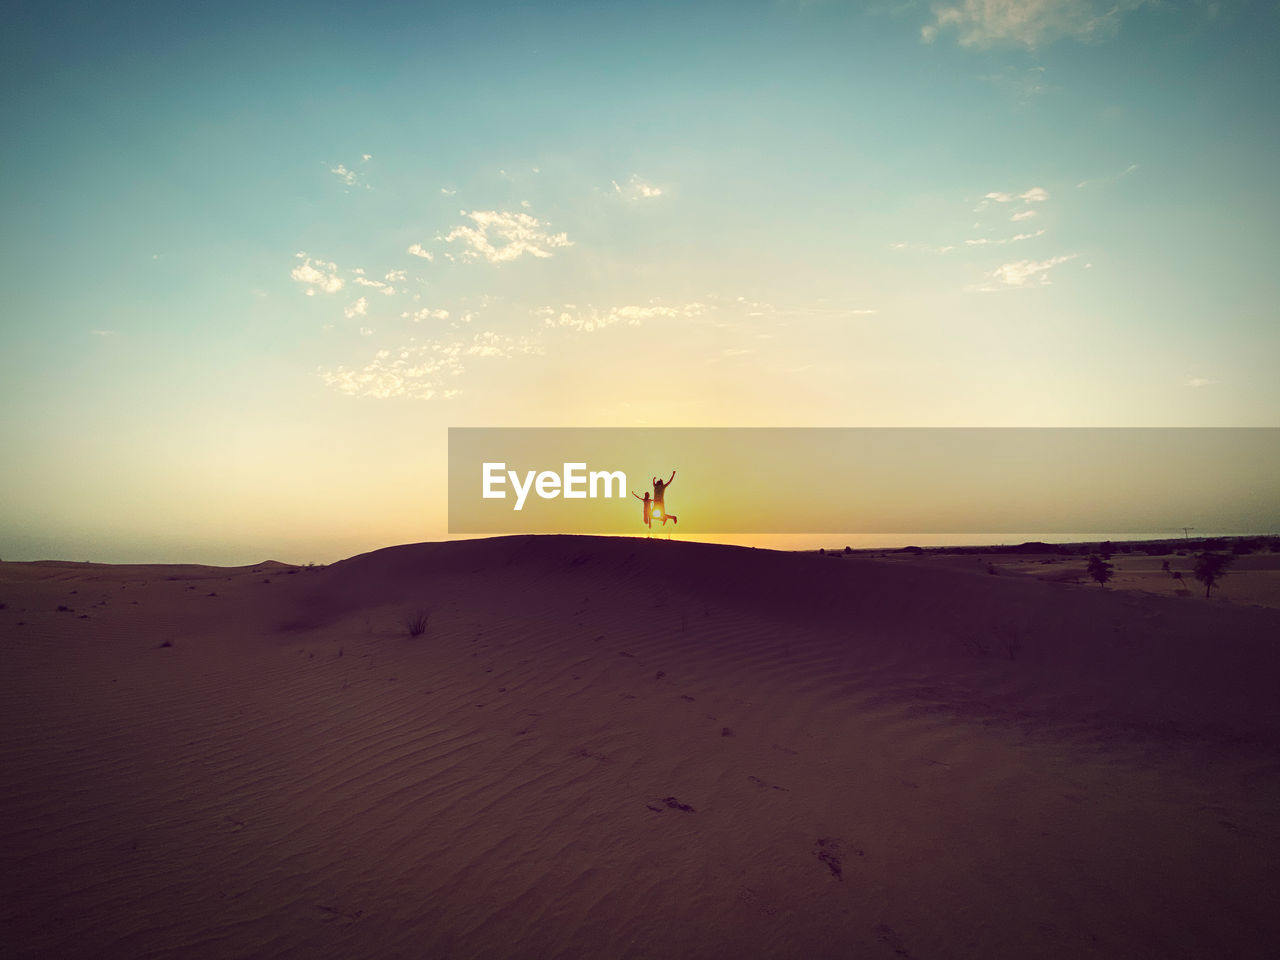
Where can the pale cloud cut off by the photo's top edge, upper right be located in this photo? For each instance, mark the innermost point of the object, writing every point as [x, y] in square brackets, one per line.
[1028, 24]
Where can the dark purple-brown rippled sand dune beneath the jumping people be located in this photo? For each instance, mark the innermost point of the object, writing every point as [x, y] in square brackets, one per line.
[615, 748]
